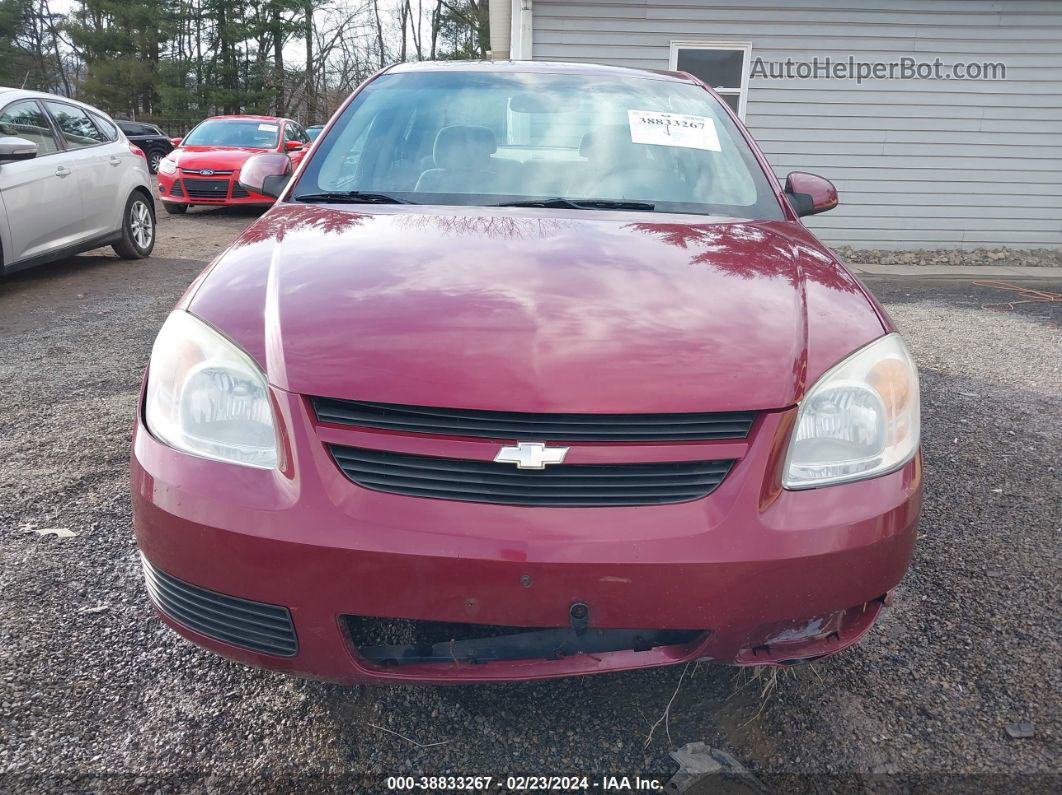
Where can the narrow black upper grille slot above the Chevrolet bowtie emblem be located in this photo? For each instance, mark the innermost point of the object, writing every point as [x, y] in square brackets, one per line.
[510, 426]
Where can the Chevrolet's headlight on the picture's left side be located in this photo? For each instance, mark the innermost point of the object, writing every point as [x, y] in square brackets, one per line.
[208, 397]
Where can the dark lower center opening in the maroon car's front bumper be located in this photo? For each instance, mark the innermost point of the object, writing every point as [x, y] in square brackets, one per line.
[399, 643]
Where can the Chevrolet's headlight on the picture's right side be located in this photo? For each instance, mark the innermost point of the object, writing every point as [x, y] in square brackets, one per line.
[860, 421]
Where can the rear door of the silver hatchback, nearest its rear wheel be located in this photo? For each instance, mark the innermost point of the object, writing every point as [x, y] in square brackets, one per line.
[97, 167]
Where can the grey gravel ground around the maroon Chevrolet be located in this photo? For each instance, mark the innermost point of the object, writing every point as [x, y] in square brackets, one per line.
[96, 695]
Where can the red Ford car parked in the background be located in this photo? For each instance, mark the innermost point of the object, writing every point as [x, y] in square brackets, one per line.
[205, 166]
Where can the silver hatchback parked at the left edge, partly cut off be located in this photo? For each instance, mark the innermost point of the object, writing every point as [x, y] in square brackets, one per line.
[70, 182]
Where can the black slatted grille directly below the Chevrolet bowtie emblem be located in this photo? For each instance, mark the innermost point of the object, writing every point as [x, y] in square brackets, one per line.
[559, 486]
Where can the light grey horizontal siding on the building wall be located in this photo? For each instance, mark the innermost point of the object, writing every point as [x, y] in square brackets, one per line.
[919, 164]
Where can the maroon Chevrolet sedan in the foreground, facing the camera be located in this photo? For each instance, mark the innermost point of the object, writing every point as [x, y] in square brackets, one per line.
[533, 371]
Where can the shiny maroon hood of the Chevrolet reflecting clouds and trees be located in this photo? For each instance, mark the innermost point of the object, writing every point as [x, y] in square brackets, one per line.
[536, 310]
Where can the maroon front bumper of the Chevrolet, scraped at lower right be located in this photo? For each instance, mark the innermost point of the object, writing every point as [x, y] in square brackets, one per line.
[766, 576]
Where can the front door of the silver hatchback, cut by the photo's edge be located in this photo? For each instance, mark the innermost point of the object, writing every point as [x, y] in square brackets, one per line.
[43, 206]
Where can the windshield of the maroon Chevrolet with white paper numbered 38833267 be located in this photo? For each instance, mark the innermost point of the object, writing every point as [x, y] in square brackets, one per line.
[476, 139]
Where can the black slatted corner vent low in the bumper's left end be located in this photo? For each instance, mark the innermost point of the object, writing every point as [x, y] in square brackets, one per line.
[255, 626]
